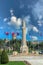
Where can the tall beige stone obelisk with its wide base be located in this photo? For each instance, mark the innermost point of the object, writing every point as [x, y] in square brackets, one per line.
[24, 47]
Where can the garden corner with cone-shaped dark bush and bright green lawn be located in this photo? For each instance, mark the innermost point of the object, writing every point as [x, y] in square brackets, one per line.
[4, 60]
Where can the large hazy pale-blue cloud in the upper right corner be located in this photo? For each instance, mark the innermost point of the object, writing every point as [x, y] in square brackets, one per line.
[38, 9]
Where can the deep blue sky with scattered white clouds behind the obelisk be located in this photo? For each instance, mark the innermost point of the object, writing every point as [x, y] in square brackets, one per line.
[12, 12]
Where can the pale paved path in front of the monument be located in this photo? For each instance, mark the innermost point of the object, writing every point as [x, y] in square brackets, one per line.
[33, 60]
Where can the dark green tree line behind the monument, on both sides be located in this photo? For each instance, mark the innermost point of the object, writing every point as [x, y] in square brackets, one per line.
[15, 44]
